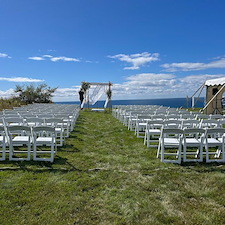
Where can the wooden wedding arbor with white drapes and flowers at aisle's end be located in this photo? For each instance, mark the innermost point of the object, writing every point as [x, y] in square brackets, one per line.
[86, 85]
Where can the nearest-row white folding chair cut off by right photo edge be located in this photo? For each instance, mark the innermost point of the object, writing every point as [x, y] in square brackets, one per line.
[214, 144]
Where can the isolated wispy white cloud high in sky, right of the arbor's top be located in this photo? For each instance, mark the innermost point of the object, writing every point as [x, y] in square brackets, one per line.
[137, 60]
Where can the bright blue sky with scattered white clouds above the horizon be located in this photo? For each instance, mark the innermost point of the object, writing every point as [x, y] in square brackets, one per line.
[146, 48]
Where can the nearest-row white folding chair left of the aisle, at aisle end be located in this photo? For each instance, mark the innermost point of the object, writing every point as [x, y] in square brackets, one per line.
[44, 136]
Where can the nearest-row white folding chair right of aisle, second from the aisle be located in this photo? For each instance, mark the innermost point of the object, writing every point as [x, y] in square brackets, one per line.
[193, 144]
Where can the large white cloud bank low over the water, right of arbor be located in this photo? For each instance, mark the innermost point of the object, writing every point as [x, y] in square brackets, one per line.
[150, 86]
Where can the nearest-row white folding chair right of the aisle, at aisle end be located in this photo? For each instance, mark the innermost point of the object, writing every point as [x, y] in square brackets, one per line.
[170, 145]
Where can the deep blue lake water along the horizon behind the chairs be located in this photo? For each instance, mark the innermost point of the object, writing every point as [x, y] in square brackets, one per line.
[170, 102]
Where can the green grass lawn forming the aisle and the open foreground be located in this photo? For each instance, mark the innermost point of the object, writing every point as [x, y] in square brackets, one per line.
[105, 175]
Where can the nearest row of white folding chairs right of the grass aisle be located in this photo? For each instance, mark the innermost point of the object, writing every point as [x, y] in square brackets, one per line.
[191, 145]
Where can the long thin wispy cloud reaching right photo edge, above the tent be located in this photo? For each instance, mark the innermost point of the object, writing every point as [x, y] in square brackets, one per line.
[189, 66]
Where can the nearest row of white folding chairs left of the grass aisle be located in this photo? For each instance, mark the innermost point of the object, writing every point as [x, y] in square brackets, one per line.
[20, 142]
